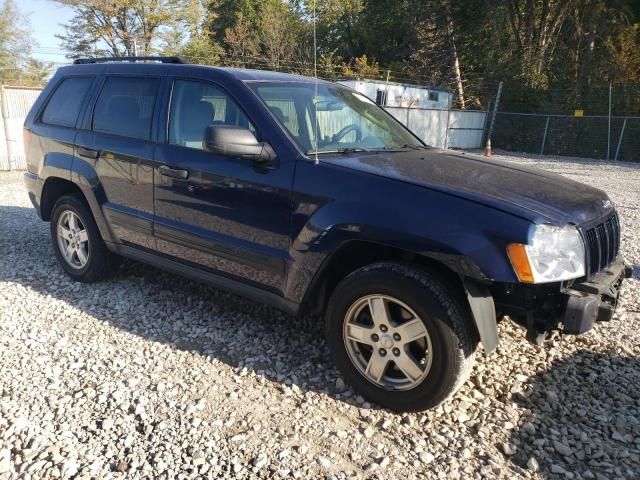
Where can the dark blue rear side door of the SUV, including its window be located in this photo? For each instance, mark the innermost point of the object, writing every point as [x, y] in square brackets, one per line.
[118, 146]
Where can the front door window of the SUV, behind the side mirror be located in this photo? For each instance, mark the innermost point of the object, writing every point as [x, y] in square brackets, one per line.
[194, 106]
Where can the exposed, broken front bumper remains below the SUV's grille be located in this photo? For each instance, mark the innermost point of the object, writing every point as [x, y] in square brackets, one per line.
[594, 300]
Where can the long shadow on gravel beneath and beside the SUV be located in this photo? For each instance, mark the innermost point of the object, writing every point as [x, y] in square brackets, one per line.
[167, 308]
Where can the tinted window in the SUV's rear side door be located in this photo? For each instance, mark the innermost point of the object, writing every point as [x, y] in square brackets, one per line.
[125, 107]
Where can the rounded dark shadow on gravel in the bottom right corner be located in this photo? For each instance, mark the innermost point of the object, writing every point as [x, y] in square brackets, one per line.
[584, 418]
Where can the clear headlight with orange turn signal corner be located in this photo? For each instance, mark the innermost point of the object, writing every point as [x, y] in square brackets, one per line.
[553, 254]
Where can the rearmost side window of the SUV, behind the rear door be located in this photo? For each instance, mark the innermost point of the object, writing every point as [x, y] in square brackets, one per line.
[64, 107]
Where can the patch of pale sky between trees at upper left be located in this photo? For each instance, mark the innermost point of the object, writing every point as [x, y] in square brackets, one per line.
[46, 17]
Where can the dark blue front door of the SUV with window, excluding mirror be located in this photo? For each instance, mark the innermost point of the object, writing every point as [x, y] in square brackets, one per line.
[219, 213]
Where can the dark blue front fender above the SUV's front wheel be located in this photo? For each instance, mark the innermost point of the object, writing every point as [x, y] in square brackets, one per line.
[468, 237]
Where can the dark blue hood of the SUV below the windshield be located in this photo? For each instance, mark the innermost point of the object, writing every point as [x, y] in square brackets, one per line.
[533, 194]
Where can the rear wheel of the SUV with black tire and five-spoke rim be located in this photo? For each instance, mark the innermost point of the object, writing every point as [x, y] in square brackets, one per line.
[99, 261]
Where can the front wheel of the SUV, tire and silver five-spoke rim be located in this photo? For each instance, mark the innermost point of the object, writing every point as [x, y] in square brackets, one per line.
[442, 327]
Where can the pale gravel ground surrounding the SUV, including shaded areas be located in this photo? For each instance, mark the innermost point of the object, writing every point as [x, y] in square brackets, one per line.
[152, 376]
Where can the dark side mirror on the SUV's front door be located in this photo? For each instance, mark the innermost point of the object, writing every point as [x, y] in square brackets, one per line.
[235, 141]
